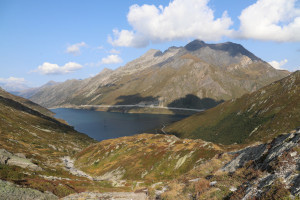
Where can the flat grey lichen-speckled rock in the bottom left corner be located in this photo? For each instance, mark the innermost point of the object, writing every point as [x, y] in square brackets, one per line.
[10, 191]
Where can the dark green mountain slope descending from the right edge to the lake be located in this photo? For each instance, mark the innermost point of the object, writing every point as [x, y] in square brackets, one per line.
[258, 116]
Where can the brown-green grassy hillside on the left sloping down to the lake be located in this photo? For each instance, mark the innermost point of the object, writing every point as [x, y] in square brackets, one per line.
[32, 144]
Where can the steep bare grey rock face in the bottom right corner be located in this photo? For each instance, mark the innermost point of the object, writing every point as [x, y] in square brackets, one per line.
[279, 162]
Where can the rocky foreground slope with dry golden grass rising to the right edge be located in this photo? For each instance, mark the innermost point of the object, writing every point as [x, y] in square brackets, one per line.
[260, 171]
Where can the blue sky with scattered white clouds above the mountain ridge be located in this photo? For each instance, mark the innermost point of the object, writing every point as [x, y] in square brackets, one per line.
[71, 39]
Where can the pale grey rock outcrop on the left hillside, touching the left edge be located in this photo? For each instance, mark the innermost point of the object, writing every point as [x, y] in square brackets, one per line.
[8, 158]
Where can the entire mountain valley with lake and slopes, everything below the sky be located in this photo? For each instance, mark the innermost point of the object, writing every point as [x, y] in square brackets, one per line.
[232, 131]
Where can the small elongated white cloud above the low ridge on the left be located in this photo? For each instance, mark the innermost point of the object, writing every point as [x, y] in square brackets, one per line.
[50, 69]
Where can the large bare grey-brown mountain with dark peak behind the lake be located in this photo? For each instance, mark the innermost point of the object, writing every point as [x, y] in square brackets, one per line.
[198, 75]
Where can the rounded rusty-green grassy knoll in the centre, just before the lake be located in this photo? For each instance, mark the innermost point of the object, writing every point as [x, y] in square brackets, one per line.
[145, 156]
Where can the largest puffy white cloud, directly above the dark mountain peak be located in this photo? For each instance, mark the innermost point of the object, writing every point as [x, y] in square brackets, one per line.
[181, 19]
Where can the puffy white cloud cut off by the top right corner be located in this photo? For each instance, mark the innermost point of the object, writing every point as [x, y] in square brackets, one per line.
[276, 20]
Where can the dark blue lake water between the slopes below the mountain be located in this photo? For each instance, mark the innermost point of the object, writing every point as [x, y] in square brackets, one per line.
[107, 125]
